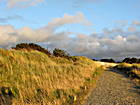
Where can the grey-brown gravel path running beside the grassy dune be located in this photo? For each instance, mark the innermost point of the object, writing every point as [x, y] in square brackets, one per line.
[113, 88]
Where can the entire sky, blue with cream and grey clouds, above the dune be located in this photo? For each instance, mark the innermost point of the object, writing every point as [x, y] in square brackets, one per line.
[92, 28]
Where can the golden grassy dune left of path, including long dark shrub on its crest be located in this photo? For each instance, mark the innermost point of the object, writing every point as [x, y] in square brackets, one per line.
[35, 78]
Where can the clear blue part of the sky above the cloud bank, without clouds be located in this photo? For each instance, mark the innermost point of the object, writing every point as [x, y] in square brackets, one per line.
[102, 13]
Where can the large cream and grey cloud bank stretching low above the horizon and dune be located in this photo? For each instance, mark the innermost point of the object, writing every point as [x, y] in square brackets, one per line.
[114, 43]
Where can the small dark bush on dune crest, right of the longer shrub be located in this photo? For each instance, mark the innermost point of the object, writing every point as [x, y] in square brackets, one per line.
[60, 53]
